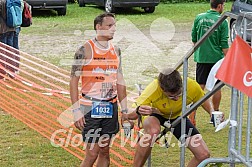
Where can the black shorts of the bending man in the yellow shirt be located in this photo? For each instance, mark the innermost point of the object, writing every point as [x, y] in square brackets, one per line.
[190, 129]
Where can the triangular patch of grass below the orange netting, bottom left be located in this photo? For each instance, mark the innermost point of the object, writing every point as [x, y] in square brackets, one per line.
[21, 146]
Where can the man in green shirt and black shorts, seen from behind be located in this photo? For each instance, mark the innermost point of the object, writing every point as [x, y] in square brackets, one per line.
[214, 47]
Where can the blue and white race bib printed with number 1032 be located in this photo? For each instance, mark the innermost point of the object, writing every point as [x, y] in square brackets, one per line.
[102, 110]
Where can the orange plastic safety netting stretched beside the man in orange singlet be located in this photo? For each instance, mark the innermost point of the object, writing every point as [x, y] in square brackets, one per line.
[39, 97]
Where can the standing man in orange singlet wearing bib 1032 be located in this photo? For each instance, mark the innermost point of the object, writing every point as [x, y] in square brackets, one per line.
[97, 63]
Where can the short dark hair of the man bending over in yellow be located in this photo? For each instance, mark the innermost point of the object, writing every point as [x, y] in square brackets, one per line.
[170, 80]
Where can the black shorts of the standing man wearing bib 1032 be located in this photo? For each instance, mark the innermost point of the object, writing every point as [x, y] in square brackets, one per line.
[96, 127]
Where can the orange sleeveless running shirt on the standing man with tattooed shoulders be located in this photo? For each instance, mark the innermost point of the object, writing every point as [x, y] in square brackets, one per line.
[99, 75]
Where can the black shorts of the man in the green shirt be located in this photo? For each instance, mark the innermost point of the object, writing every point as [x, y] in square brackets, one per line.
[202, 72]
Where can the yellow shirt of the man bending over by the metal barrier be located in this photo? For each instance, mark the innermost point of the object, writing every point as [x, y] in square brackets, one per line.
[154, 96]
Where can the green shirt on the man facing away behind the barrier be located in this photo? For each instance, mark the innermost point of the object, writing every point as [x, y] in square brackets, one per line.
[211, 50]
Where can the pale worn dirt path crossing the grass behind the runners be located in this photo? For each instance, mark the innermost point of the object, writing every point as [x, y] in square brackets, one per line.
[143, 56]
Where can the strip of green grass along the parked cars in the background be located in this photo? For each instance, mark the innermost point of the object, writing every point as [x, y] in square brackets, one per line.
[47, 22]
